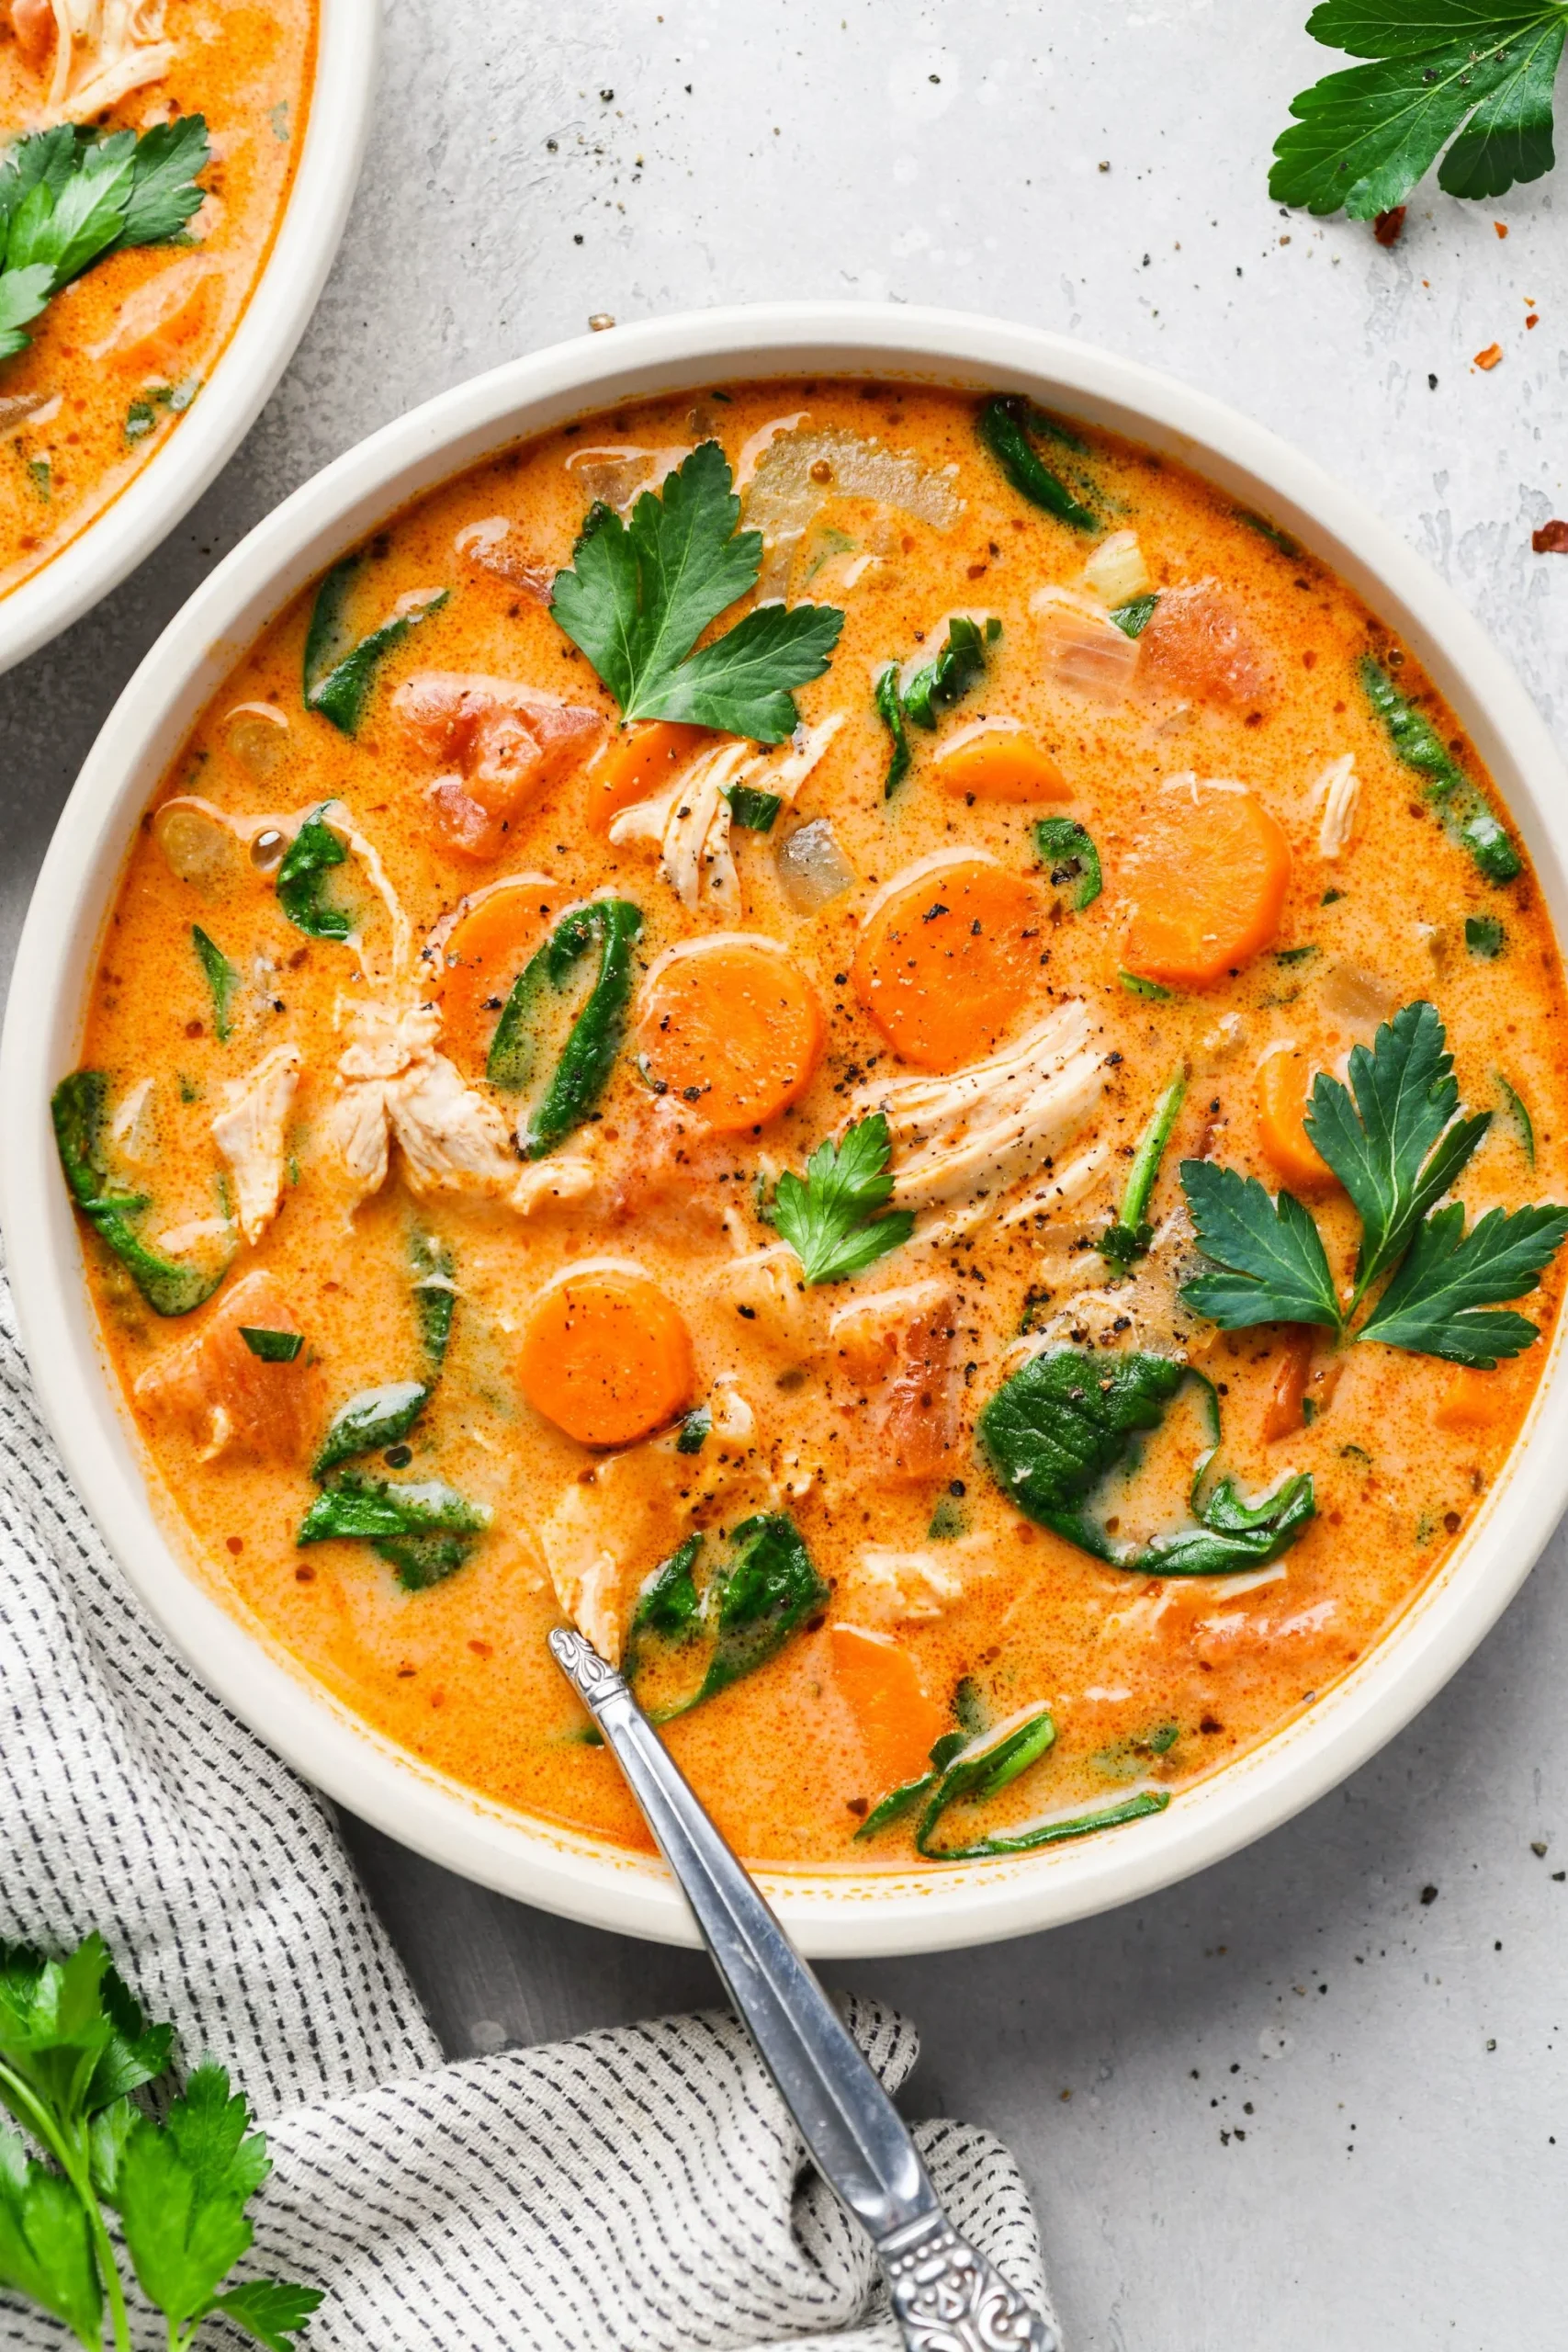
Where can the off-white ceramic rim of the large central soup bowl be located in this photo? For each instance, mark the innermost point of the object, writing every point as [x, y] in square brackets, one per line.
[829, 1913]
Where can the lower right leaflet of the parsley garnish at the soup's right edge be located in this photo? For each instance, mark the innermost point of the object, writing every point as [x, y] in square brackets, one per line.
[1433, 1302]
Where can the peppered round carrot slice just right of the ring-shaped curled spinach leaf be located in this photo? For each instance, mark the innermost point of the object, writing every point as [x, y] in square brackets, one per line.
[732, 1027]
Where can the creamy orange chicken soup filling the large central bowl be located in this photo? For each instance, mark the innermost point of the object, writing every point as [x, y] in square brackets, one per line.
[542, 1267]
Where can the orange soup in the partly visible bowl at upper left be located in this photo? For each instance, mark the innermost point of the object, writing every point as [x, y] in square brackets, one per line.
[123, 352]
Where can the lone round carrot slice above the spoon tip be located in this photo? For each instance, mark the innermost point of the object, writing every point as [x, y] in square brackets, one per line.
[605, 1356]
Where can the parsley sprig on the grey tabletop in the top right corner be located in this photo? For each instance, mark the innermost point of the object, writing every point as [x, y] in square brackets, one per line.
[1470, 76]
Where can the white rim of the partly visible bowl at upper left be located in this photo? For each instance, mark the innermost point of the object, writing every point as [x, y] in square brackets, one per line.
[253, 361]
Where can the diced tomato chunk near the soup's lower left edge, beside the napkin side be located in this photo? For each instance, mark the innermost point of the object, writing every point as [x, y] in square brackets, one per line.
[229, 1398]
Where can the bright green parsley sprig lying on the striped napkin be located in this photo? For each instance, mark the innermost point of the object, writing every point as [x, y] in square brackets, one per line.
[74, 2054]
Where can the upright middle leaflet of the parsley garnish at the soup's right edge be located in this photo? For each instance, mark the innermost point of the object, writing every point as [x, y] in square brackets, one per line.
[1393, 1147]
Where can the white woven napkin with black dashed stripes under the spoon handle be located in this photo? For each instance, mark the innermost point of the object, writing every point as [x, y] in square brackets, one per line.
[638, 2189]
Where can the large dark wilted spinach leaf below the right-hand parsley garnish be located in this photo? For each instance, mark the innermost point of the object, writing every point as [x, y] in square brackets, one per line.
[1066, 1419]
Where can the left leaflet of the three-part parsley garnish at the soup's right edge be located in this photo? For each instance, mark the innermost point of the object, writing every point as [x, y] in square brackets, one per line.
[1268, 1259]
